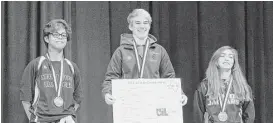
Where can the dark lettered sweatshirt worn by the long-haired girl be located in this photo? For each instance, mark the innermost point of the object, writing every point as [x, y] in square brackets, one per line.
[238, 111]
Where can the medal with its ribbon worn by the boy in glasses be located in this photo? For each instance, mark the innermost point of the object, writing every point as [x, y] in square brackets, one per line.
[58, 101]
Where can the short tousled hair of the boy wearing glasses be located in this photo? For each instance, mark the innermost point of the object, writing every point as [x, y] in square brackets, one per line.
[55, 25]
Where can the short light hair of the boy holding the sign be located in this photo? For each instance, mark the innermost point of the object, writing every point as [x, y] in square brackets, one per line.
[137, 12]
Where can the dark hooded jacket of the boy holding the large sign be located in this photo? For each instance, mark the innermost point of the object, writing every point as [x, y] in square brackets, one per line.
[123, 62]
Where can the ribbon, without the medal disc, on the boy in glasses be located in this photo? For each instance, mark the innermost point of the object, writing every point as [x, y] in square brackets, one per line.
[58, 90]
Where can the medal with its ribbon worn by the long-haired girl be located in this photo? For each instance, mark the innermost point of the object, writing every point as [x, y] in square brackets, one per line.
[222, 116]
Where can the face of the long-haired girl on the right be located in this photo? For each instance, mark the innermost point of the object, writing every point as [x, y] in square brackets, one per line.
[226, 59]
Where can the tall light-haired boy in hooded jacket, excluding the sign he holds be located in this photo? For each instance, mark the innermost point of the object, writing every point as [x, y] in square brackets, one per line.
[138, 56]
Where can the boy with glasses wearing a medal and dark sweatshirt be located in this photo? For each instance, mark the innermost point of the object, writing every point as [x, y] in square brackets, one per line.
[51, 87]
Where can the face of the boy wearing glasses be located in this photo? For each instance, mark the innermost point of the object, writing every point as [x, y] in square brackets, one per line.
[57, 40]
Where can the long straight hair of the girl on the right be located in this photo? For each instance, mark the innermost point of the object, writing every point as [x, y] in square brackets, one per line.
[239, 85]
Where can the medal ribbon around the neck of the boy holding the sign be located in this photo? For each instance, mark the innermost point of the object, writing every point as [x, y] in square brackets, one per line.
[141, 69]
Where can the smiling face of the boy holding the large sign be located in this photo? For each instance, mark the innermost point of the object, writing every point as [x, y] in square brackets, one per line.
[140, 27]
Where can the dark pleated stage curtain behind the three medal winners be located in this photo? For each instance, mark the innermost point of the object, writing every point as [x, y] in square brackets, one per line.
[189, 31]
